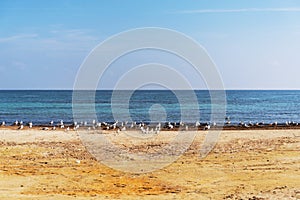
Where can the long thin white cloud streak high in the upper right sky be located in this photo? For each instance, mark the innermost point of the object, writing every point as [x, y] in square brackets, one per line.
[241, 10]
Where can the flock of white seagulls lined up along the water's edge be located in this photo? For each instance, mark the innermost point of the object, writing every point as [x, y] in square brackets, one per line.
[143, 127]
